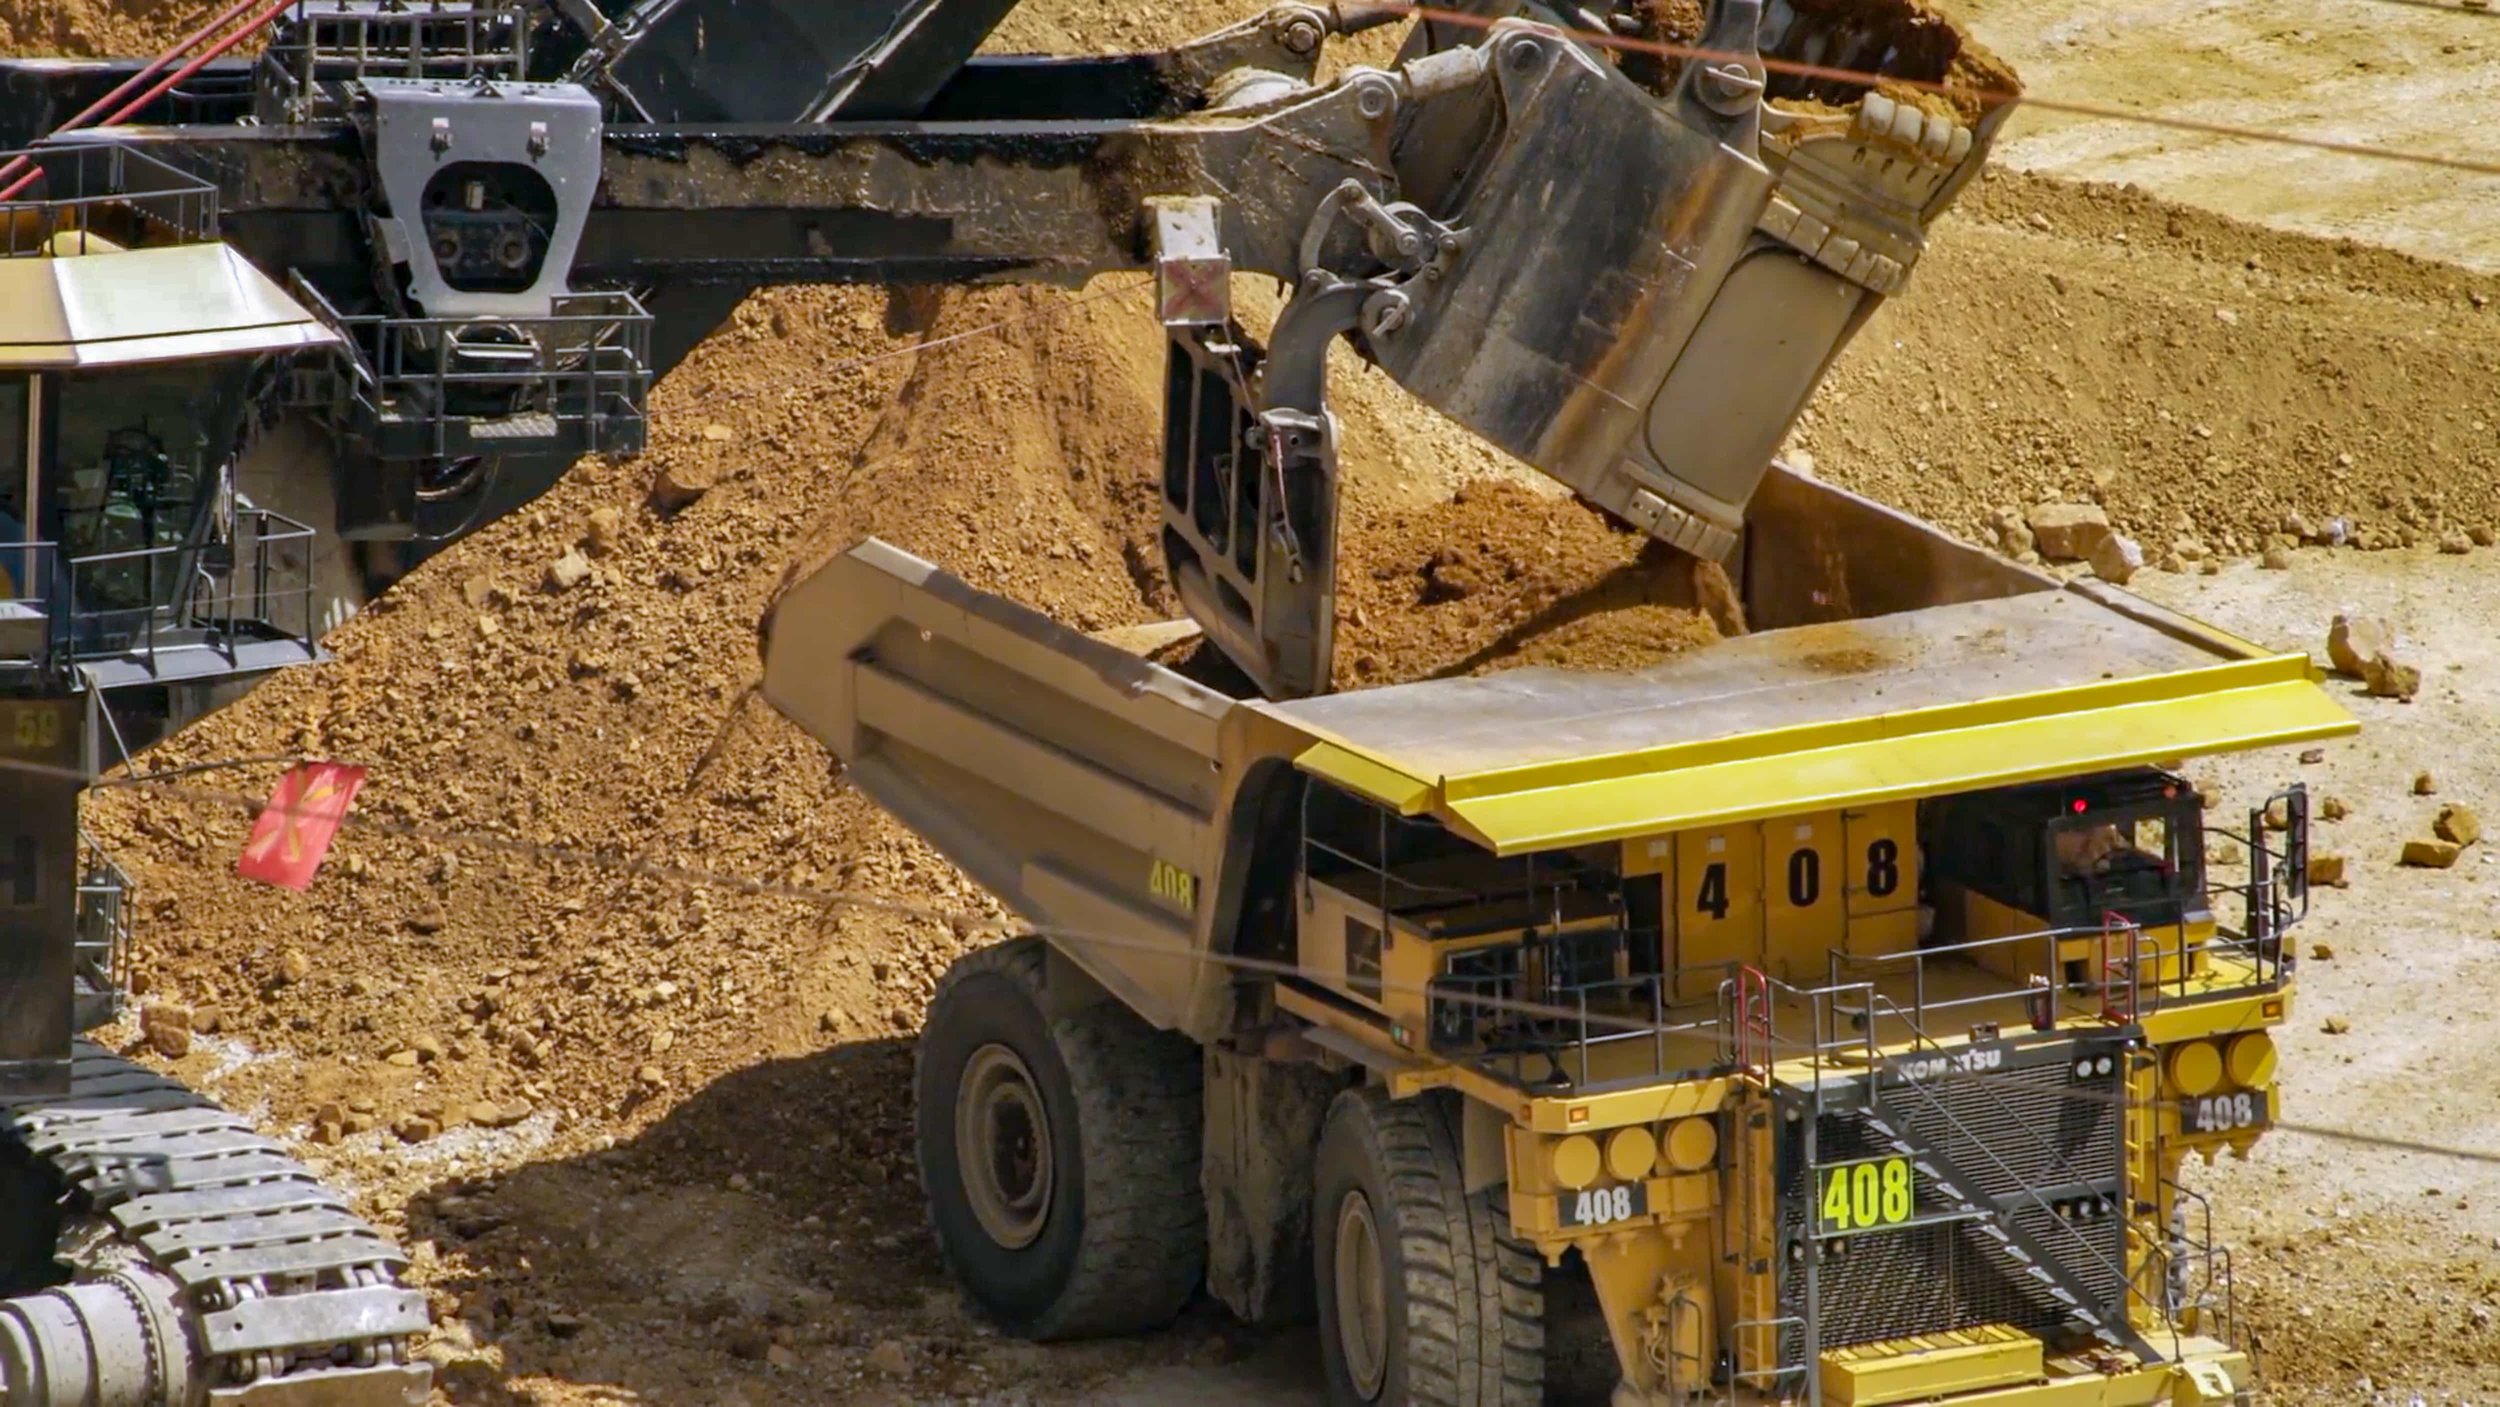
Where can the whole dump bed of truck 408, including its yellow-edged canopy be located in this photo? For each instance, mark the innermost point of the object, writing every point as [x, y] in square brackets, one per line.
[1121, 806]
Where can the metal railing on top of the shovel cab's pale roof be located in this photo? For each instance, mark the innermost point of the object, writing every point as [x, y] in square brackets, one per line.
[99, 196]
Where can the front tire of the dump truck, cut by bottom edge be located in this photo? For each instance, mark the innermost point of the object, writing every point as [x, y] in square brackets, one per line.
[1424, 1296]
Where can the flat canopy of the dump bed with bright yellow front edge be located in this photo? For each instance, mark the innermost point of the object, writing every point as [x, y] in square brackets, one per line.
[1806, 718]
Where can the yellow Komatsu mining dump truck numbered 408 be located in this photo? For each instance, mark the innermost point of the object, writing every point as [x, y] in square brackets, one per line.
[1836, 1001]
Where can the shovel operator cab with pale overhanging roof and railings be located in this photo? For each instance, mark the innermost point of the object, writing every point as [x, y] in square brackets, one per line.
[136, 354]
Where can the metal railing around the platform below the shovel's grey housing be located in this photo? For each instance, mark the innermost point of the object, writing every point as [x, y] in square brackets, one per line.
[571, 381]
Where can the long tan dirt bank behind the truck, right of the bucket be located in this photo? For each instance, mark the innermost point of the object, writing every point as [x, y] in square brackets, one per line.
[2196, 376]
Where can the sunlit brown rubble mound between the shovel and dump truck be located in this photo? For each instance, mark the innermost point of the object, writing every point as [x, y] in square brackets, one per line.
[614, 716]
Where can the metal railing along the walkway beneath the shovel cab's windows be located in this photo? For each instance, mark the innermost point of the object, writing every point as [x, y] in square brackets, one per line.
[64, 611]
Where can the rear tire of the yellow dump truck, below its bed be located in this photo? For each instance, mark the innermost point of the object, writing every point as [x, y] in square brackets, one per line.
[1059, 1153]
